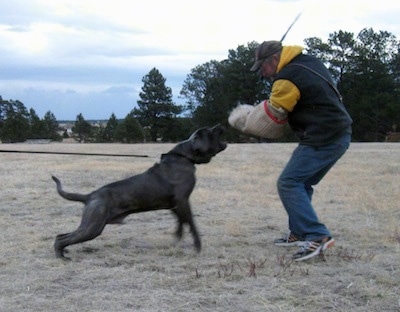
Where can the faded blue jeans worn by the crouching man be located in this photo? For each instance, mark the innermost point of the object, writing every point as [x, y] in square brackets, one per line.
[307, 166]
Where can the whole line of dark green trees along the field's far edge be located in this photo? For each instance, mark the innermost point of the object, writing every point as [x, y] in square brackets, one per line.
[366, 69]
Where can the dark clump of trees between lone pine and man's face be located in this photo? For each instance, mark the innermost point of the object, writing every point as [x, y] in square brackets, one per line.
[213, 89]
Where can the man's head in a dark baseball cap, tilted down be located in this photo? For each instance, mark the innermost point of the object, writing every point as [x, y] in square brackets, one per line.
[267, 58]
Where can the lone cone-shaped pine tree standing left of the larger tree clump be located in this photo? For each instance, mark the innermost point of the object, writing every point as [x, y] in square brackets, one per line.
[156, 109]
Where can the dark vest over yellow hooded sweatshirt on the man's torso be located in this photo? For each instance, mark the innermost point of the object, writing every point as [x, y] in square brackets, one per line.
[315, 112]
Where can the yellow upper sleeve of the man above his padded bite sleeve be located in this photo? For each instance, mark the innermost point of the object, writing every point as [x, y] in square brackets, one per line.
[284, 94]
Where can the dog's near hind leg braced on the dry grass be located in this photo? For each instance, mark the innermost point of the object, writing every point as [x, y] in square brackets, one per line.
[92, 224]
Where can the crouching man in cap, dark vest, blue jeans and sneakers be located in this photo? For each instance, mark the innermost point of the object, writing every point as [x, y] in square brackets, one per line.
[303, 87]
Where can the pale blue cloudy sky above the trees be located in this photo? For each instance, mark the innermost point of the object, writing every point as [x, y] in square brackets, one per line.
[89, 56]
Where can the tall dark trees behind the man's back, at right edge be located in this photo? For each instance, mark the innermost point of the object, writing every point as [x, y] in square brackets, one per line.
[367, 77]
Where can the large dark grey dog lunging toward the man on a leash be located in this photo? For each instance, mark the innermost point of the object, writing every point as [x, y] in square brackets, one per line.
[166, 185]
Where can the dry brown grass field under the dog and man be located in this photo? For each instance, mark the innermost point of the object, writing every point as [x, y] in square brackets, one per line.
[137, 266]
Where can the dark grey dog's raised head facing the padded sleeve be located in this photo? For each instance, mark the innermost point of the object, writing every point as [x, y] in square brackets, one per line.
[202, 145]
